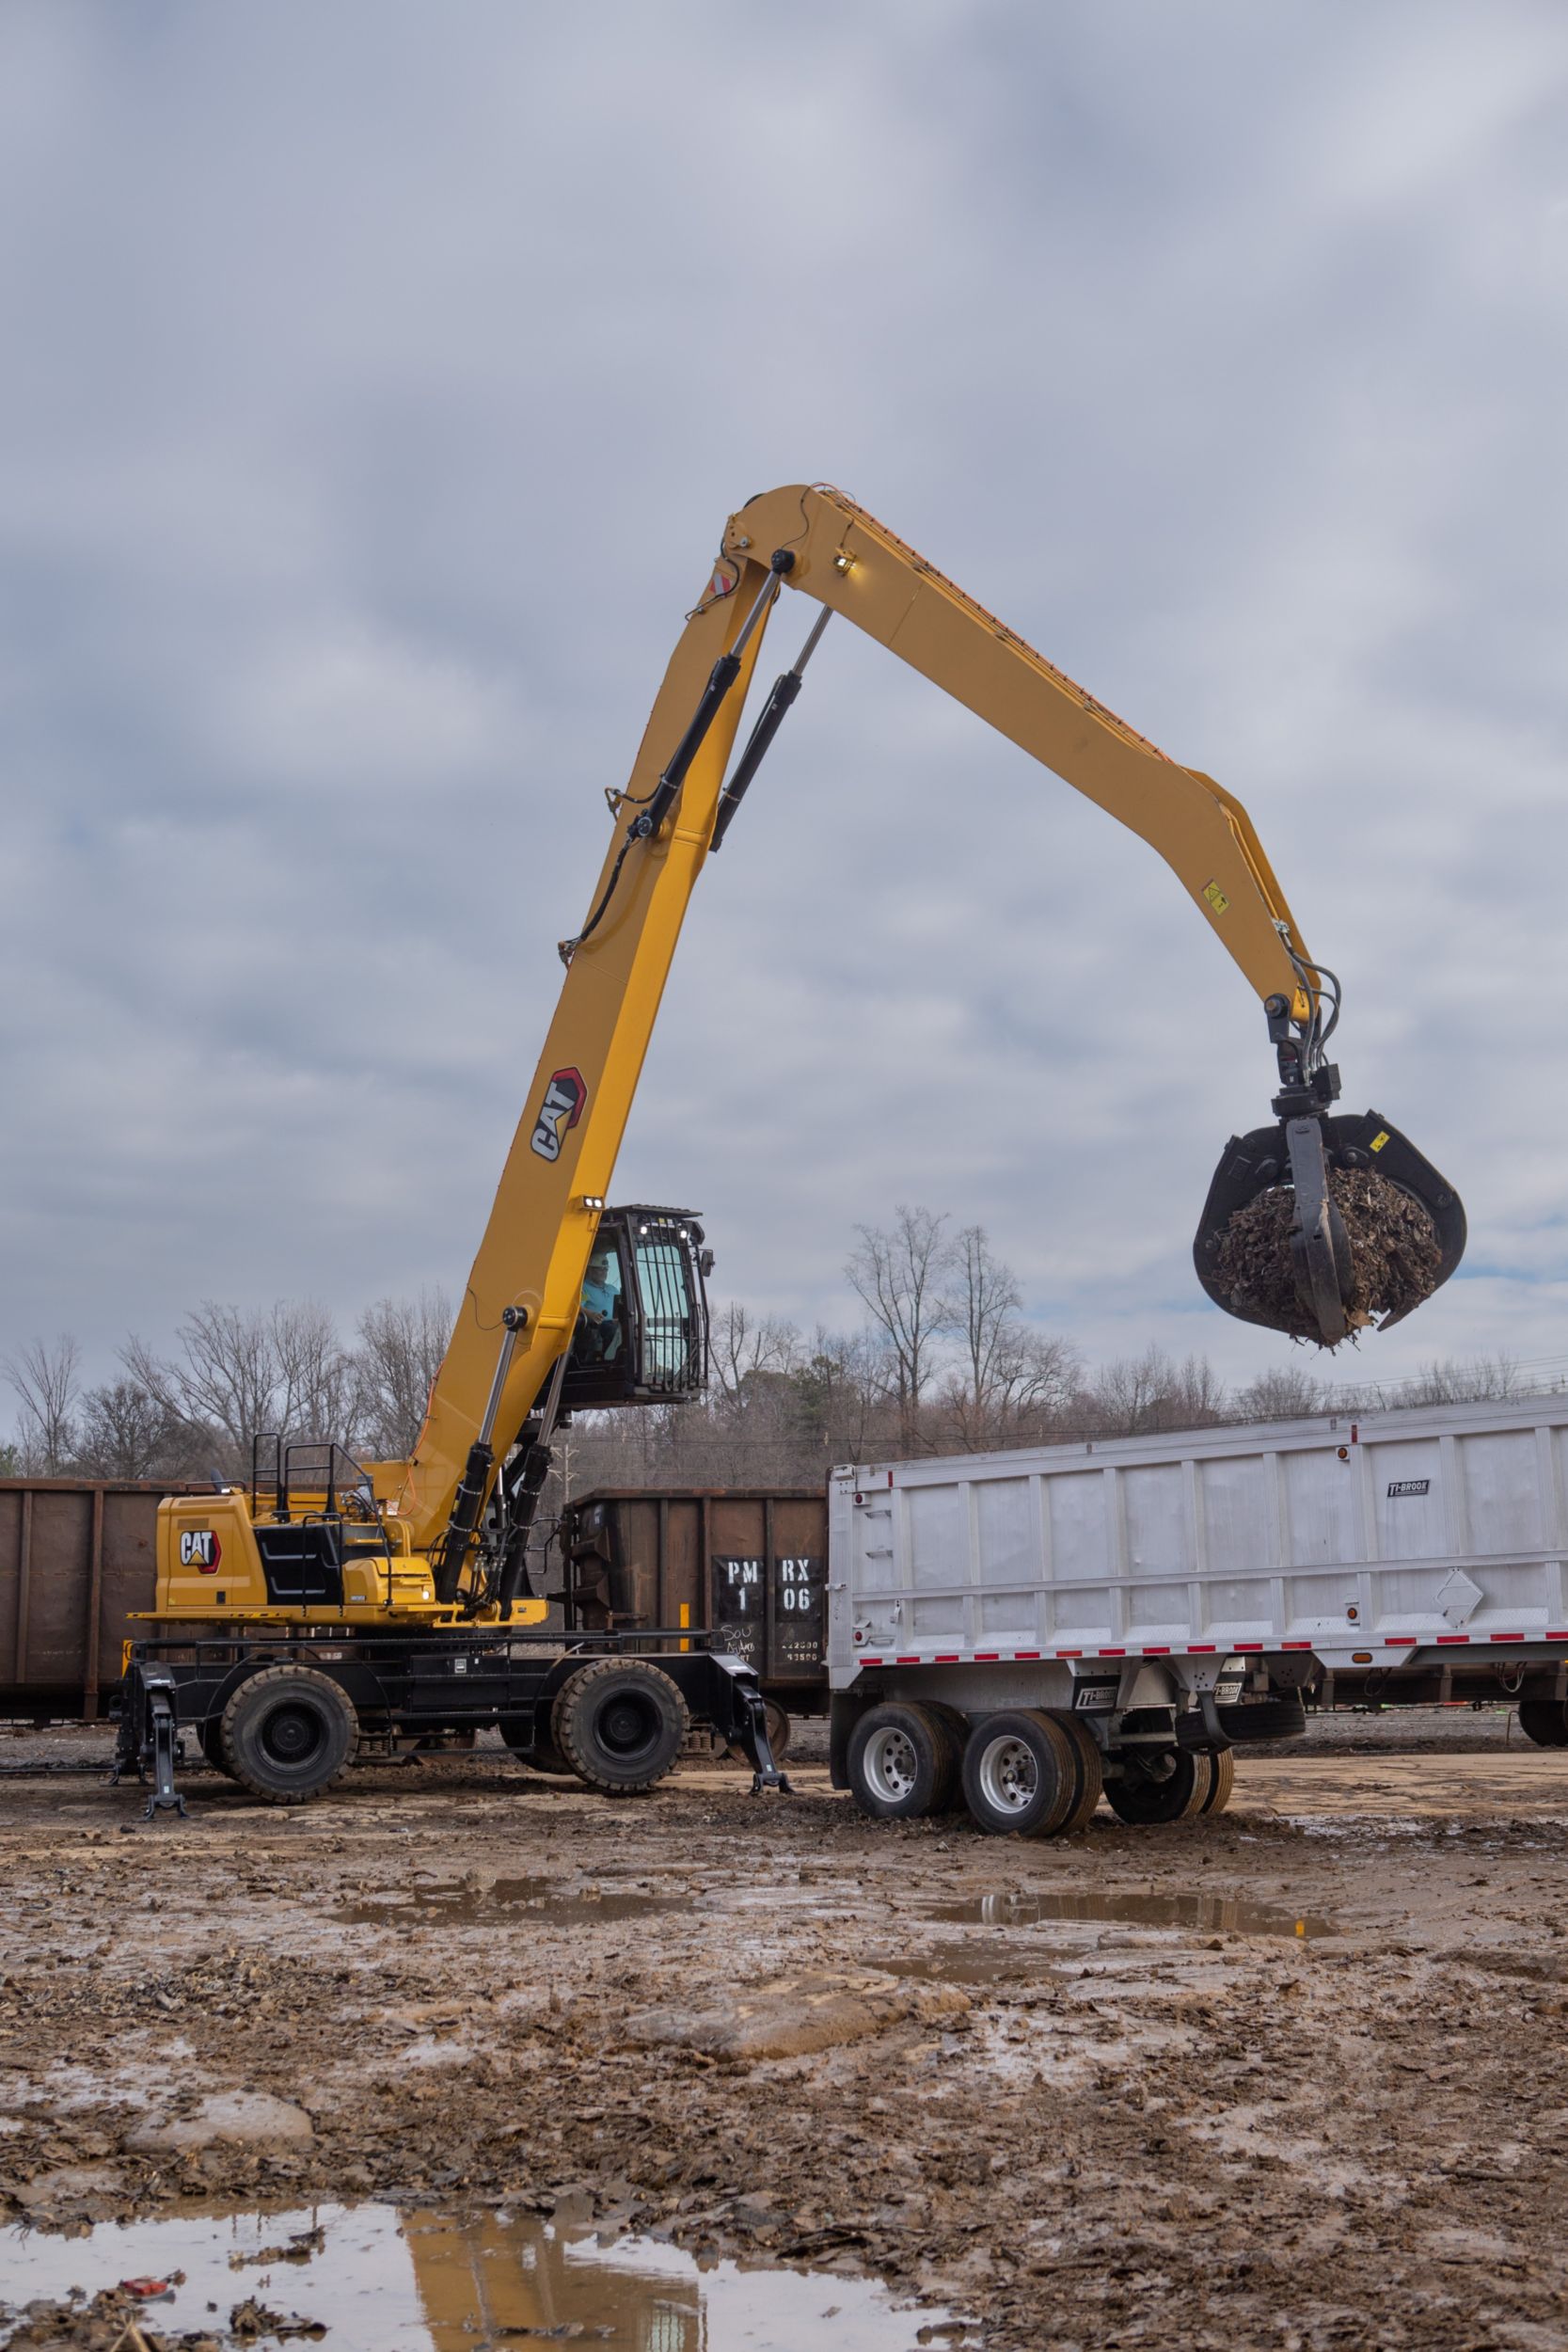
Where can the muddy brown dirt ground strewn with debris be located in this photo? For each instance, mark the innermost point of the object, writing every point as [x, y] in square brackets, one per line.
[1289, 2078]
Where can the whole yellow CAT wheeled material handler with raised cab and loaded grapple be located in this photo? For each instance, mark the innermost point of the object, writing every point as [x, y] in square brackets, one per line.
[403, 1586]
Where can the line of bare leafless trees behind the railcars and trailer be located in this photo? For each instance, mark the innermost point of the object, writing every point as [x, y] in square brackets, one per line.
[942, 1361]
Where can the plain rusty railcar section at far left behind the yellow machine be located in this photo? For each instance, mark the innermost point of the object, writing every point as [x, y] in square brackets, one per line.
[76, 1568]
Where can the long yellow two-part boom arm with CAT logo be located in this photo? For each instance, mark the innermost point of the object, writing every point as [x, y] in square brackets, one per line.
[558, 1170]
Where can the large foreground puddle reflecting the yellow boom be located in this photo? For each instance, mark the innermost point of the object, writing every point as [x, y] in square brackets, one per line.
[424, 2283]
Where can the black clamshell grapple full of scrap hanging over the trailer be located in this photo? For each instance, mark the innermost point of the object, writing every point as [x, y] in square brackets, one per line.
[1405, 1227]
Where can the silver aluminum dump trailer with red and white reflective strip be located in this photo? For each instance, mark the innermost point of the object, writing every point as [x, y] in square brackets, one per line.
[1172, 1598]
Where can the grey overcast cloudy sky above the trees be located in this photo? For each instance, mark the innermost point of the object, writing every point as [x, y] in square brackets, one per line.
[377, 382]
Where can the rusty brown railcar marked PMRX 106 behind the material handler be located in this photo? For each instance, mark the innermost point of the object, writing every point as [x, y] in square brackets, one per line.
[749, 1563]
